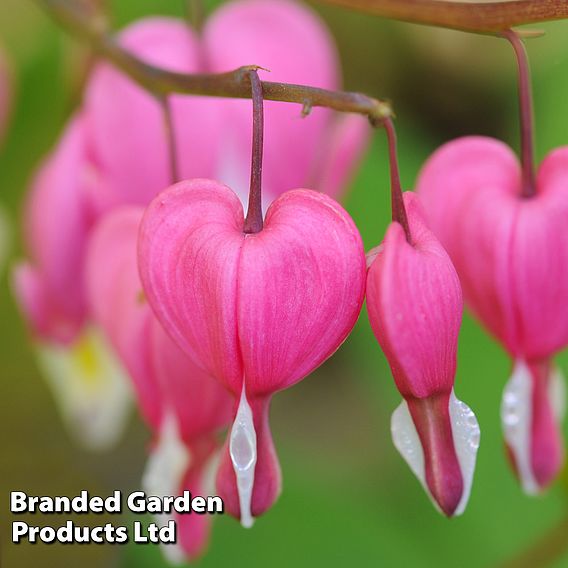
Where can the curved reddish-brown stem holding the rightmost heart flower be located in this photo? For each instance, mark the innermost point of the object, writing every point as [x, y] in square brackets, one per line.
[526, 114]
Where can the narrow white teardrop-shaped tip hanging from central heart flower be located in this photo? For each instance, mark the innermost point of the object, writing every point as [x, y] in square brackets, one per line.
[242, 448]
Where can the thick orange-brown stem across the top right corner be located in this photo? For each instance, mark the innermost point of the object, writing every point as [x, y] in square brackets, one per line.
[483, 17]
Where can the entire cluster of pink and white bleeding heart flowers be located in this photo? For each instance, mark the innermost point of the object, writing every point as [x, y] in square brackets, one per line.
[137, 281]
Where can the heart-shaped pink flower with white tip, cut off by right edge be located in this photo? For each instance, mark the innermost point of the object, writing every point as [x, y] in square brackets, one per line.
[511, 254]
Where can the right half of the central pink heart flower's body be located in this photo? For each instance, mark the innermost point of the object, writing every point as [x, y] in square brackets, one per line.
[301, 287]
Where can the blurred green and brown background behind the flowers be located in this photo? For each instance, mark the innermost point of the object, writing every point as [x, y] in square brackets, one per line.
[348, 498]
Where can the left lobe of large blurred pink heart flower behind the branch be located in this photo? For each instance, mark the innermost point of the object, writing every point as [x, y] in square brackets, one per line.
[127, 124]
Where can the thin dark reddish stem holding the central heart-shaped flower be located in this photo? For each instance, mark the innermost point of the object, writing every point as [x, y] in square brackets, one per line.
[253, 221]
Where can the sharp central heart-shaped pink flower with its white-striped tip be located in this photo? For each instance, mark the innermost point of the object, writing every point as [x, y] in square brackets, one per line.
[257, 311]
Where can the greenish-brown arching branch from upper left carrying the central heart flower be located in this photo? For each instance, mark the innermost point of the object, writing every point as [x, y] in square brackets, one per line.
[234, 84]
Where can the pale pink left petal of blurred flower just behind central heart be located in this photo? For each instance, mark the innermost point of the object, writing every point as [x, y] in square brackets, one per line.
[117, 304]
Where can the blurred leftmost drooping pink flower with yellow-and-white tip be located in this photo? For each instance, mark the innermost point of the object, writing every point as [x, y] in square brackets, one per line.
[87, 381]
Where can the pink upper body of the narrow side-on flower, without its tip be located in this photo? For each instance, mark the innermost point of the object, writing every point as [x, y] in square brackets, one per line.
[415, 306]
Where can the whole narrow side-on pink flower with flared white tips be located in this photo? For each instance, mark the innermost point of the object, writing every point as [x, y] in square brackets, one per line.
[414, 302]
